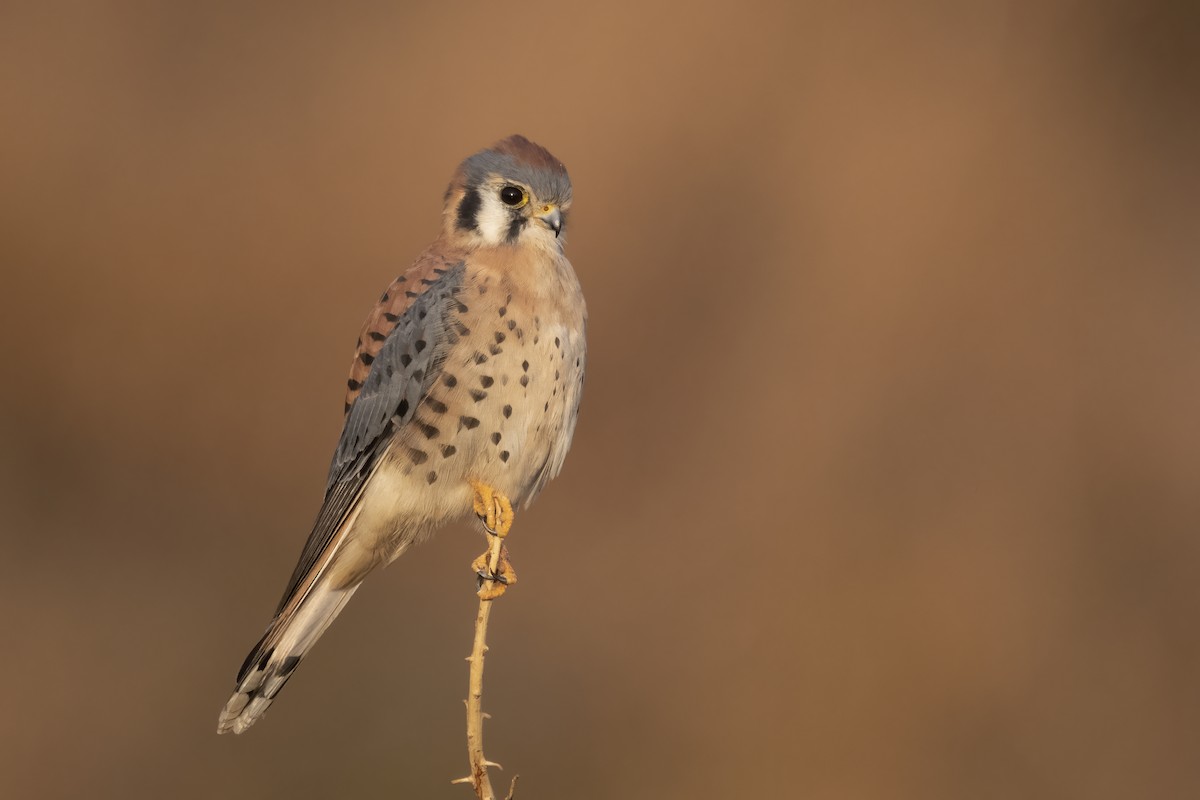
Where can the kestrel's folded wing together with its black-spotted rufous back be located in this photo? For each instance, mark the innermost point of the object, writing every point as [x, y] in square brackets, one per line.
[400, 354]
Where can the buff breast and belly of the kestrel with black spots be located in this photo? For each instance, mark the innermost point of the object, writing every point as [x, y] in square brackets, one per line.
[503, 406]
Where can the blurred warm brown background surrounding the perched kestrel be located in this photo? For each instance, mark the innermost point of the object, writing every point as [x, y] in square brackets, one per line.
[886, 484]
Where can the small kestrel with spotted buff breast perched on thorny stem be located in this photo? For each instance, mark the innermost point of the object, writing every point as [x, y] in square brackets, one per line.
[463, 400]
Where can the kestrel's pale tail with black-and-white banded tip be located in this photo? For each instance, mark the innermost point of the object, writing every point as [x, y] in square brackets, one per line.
[287, 641]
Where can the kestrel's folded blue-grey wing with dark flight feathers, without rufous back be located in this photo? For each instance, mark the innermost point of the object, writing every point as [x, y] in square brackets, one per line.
[401, 374]
